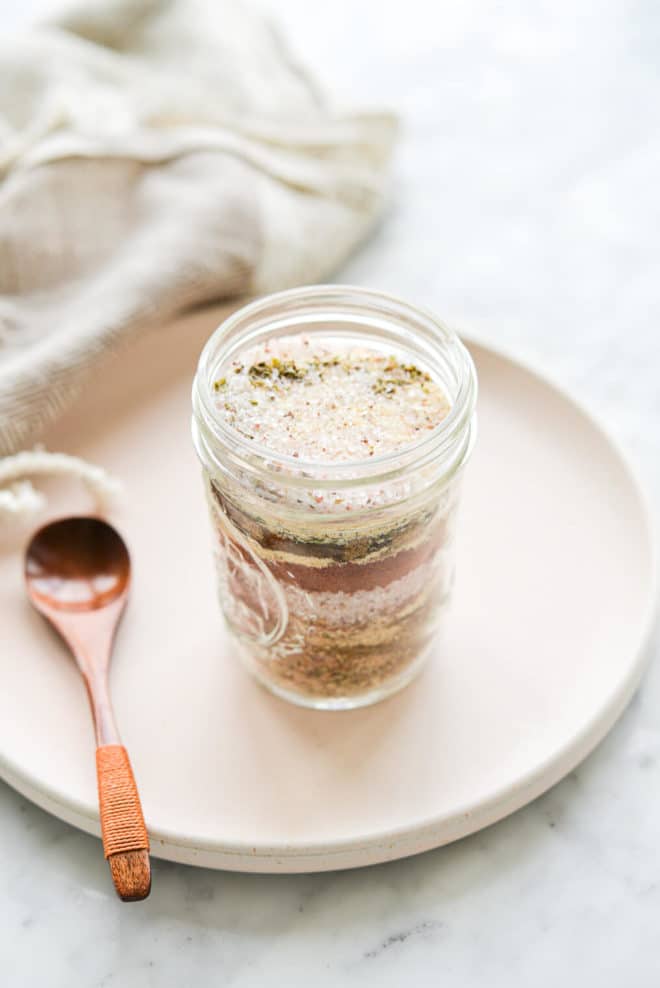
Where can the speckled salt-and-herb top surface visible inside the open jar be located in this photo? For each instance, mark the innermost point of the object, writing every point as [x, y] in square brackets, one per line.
[323, 402]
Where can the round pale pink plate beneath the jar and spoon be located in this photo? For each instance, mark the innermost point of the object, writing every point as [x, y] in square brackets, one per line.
[553, 610]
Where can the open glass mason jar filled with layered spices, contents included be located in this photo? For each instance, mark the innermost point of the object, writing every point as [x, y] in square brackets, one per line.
[333, 424]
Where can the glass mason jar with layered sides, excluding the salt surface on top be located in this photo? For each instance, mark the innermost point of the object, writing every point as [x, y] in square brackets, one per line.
[333, 576]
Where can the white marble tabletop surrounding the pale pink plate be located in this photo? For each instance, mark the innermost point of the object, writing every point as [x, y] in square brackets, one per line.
[527, 208]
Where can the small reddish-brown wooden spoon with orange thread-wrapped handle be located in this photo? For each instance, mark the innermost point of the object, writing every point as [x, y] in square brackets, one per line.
[77, 573]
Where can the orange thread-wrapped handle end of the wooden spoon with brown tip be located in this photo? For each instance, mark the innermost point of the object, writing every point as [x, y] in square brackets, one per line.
[125, 839]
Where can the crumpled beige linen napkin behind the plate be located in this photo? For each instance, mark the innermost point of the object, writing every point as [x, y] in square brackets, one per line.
[156, 154]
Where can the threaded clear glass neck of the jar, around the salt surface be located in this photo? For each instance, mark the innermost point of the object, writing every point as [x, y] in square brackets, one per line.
[347, 313]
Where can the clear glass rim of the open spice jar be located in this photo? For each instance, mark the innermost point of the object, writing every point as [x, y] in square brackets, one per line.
[361, 306]
